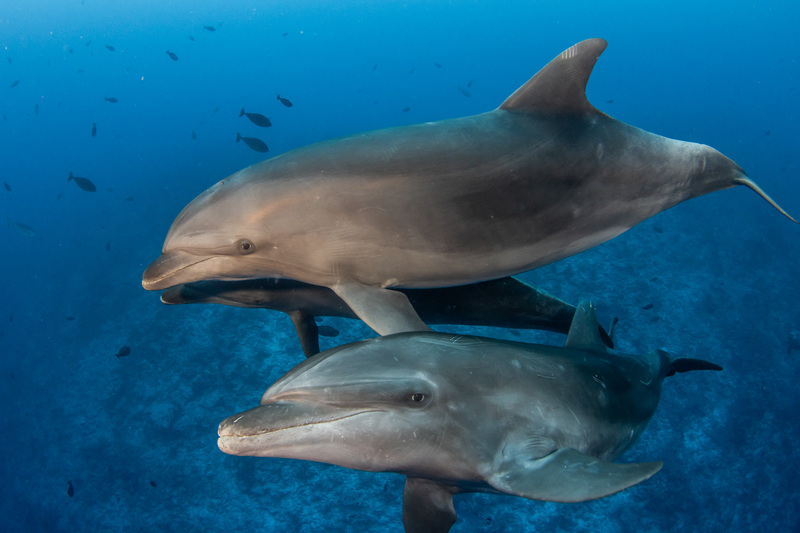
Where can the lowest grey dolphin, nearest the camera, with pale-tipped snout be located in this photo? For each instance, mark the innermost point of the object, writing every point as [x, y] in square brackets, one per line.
[466, 414]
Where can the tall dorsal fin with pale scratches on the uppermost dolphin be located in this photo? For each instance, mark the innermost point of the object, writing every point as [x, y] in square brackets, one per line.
[560, 87]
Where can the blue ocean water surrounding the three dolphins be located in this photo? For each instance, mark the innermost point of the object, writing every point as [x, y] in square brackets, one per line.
[135, 437]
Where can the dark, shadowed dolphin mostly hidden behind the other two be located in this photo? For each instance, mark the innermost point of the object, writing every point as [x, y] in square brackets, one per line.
[505, 303]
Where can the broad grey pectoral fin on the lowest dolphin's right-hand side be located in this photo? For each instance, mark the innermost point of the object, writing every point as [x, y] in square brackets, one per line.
[567, 475]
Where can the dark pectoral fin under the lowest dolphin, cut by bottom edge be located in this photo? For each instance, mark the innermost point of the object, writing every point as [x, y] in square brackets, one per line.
[427, 507]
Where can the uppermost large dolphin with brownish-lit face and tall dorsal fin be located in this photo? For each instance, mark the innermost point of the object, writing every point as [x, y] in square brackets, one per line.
[543, 177]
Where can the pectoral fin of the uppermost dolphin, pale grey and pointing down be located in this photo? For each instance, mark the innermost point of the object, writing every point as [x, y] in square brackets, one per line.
[386, 311]
